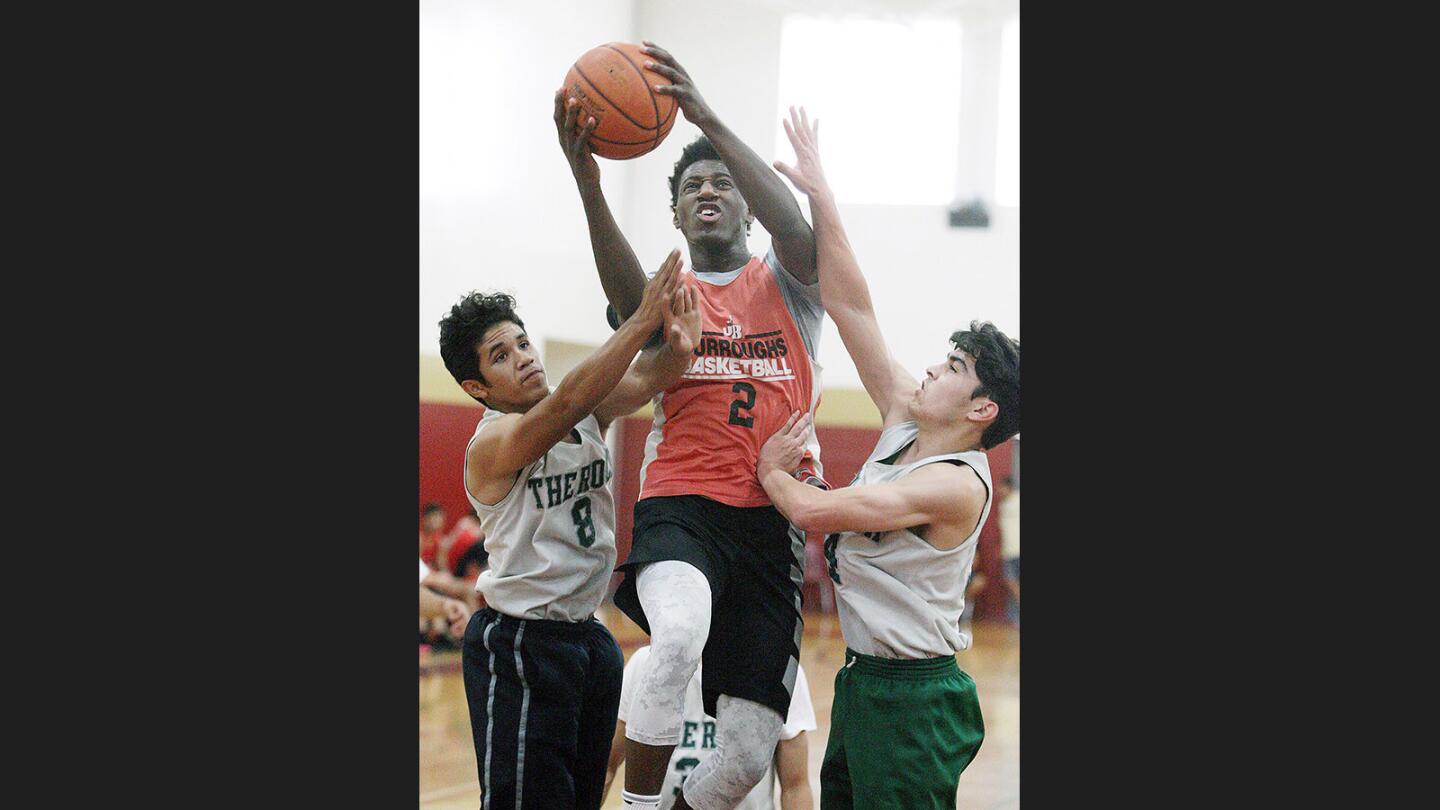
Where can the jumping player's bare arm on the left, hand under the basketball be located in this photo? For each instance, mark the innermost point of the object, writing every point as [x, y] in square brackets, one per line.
[621, 276]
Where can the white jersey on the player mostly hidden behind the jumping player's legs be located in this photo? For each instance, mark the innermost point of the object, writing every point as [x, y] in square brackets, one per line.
[698, 736]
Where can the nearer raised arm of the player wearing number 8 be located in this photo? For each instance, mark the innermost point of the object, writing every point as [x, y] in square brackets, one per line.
[519, 439]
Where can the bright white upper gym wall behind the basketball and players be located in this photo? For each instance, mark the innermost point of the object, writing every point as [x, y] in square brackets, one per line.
[499, 208]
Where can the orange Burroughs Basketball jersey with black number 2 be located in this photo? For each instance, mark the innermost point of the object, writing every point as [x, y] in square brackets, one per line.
[748, 375]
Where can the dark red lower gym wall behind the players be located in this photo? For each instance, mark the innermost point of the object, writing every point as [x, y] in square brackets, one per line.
[447, 429]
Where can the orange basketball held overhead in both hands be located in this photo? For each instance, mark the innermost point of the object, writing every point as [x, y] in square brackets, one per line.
[613, 86]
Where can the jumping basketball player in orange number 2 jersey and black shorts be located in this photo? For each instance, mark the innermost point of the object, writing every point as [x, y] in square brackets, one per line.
[715, 571]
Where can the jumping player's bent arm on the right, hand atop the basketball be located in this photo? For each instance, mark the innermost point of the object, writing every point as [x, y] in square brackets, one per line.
[767, 195]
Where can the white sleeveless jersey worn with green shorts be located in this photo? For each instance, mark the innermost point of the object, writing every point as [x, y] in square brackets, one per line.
[898, 596]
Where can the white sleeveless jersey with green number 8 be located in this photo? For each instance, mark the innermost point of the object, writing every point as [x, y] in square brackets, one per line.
[552, 538]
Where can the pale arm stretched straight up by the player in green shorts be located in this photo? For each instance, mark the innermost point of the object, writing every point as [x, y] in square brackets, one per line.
[843, 286]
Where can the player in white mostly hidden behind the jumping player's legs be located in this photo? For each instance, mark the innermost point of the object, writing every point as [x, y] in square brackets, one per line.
[698, 742]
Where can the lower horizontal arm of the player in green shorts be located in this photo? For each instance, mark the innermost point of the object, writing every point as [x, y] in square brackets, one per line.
[932, 495]
